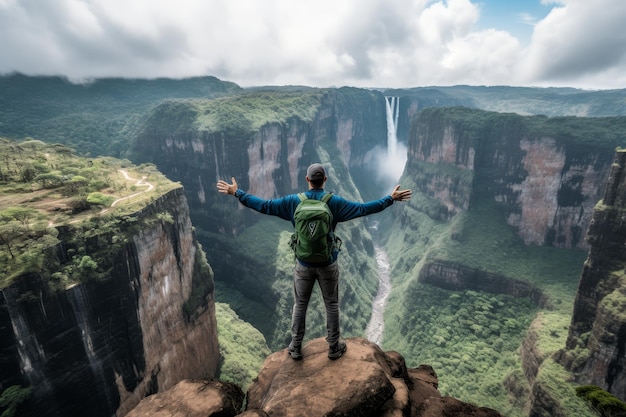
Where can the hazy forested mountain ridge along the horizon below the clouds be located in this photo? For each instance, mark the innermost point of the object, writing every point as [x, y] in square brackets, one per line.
[109, 110]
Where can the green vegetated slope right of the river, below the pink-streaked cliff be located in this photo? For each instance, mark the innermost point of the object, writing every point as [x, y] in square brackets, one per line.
[472, 338]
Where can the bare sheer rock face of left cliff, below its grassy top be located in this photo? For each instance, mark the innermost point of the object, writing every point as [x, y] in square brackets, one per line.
[98, 347]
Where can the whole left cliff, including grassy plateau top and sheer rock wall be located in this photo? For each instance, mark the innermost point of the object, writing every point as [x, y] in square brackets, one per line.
[105, 293]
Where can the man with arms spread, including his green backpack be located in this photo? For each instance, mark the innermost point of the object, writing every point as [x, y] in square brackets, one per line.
[315, 215]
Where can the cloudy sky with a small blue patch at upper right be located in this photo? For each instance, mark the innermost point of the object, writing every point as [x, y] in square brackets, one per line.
[362, 43]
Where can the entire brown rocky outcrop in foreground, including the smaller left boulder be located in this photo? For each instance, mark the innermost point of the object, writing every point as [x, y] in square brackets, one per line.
[365, 381]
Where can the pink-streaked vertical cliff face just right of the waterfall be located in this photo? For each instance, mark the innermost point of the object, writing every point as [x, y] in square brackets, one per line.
[545, 183]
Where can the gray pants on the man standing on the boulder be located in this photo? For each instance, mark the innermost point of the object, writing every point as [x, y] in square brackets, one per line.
[303, 282]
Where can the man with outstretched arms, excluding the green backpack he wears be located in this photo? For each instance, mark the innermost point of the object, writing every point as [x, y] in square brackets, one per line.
[306, 274]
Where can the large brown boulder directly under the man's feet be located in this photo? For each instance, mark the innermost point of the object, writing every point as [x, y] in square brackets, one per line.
[364, 382]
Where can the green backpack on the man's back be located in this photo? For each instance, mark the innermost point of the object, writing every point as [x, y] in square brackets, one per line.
[313, 239]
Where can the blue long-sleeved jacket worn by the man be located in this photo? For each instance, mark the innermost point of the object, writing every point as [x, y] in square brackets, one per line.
[342, 209]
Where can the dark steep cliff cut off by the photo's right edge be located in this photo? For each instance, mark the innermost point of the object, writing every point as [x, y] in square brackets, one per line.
[596, 345]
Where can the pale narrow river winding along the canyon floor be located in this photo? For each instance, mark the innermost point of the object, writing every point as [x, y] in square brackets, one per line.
[376, 325]
